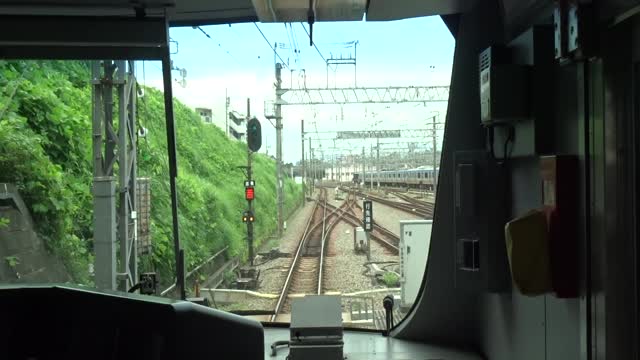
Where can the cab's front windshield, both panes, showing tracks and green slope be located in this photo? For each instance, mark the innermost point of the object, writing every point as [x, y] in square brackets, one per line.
[357, 120]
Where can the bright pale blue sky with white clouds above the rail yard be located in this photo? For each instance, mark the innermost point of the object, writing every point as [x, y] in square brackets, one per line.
[236, 60]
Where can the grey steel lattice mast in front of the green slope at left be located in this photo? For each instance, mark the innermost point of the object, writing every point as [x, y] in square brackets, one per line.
[114, 144]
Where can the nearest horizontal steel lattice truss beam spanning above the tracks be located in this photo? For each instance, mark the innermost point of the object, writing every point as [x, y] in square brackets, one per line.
[362, 95]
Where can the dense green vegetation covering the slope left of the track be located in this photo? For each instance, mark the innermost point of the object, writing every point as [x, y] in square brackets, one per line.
[45, 148]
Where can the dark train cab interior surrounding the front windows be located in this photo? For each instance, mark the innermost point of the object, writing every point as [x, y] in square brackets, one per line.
[534, 248]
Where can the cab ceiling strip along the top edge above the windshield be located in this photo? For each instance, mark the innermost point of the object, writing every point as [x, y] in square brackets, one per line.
[203, 12]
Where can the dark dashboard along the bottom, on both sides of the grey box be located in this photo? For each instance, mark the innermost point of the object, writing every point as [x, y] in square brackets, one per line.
[70, 322]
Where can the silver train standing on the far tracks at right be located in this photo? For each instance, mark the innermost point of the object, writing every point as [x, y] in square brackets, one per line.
[422, 178]
